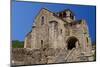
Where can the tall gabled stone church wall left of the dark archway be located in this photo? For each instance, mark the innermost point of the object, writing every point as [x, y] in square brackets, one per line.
[46, 34]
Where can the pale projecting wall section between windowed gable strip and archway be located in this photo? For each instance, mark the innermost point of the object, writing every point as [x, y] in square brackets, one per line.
[56, 32]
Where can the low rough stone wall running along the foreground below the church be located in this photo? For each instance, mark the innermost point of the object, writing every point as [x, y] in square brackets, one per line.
[22, 56]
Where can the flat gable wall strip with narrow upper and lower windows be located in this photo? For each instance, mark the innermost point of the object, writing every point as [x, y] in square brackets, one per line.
[41, 30]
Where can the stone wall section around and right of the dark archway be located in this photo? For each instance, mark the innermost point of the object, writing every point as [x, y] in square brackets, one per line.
[79, 30]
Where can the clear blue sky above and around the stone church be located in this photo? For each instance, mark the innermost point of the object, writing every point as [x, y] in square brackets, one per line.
[24, 13]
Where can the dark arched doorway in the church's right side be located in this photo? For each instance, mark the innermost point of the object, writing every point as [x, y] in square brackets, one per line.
[72, 42]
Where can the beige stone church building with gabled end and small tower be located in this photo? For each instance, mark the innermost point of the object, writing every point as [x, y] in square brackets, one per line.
[58, 30]
